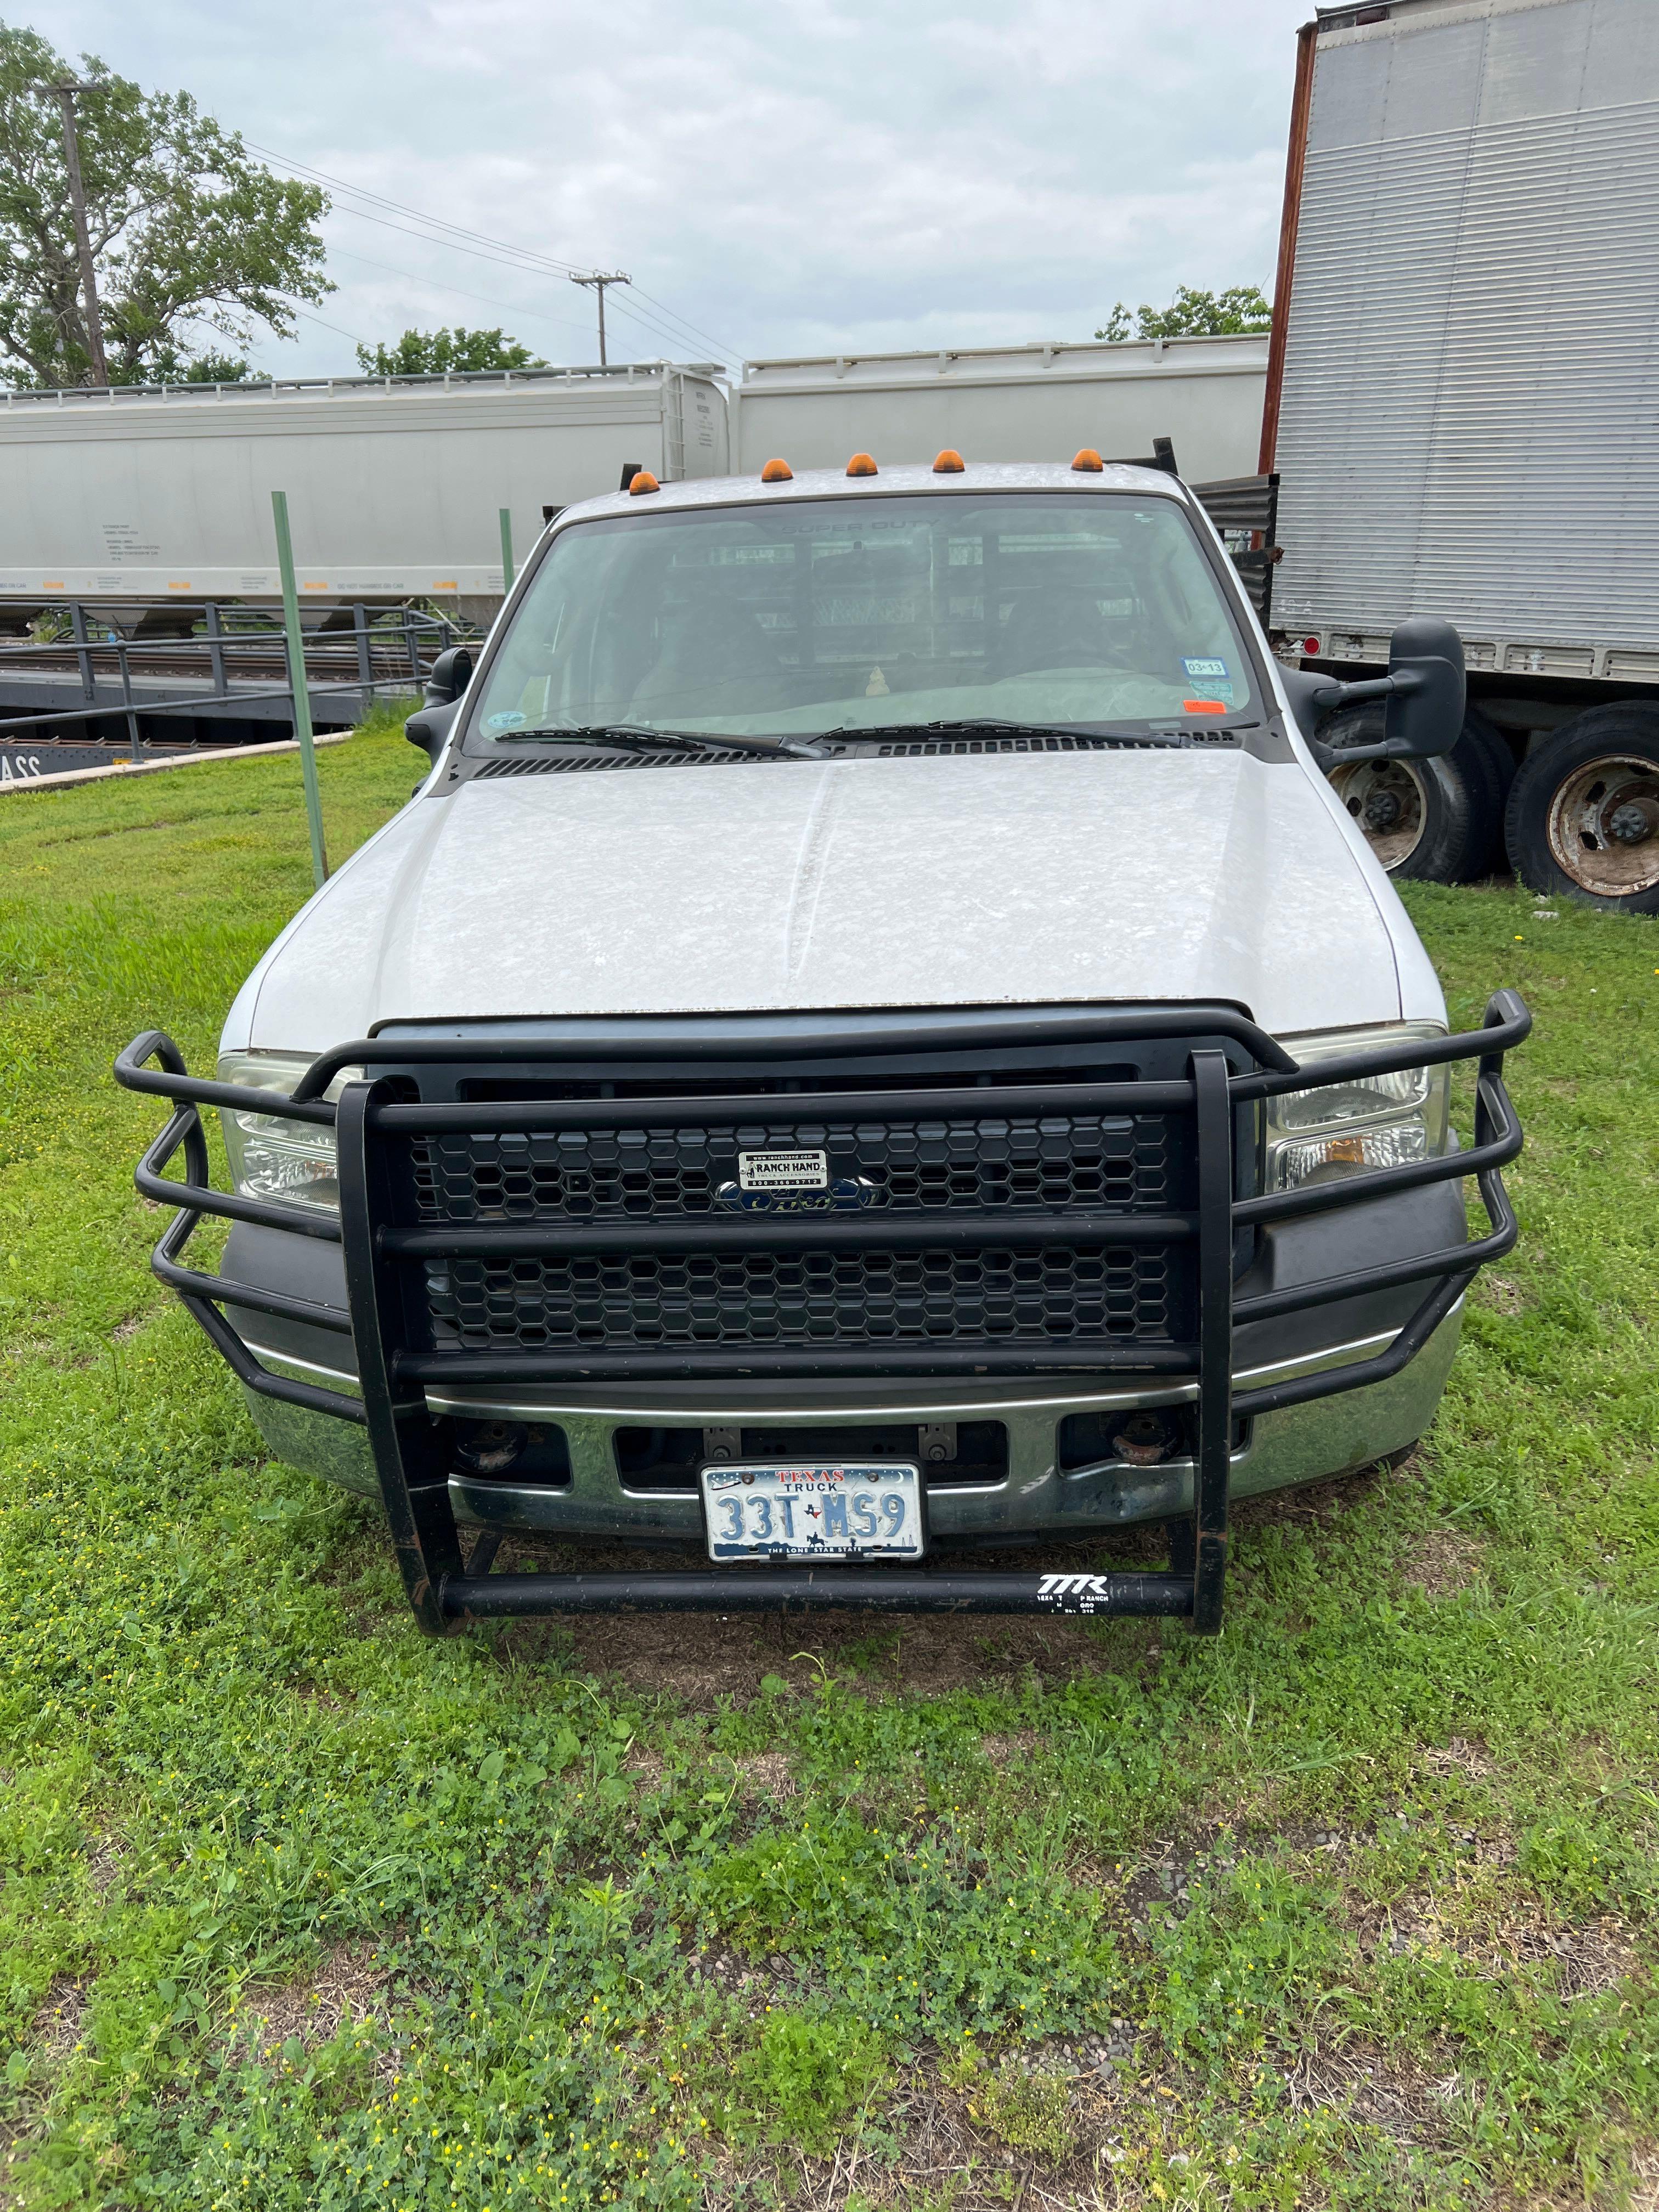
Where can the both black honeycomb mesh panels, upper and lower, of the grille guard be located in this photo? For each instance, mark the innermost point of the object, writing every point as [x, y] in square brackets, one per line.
[990, 1162]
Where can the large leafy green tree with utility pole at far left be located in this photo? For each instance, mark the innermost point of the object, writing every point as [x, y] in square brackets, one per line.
[191, 240]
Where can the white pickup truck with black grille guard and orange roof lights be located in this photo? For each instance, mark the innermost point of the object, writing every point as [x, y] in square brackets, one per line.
[873, 1041]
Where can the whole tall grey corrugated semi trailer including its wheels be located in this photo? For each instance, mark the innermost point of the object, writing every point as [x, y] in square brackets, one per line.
[1461, 408]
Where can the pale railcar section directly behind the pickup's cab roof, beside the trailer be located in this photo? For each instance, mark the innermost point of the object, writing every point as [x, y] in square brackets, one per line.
[1010, 404]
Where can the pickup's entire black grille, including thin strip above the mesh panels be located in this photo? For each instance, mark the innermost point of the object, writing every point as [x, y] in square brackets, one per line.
[1001, 1291]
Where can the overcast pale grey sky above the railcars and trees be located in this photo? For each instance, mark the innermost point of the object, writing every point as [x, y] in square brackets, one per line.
[789, 178]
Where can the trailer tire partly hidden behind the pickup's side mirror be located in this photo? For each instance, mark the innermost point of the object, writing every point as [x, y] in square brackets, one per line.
[1432, 822]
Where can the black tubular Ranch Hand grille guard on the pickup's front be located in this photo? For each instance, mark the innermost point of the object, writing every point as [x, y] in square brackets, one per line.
[1001, 1215]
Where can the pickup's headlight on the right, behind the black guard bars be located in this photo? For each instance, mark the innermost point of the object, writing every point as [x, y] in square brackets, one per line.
[1359, 1125]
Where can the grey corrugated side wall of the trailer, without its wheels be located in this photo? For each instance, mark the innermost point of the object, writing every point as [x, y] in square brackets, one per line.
[1472, 351]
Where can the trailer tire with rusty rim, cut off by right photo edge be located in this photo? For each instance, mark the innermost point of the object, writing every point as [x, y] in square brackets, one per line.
[1583, 817]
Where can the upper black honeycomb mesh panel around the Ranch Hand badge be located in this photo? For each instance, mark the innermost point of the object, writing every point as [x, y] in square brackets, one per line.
[908, 1167]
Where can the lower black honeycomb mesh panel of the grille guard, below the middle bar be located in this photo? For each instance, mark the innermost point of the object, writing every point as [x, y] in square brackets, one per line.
[1032, 1295]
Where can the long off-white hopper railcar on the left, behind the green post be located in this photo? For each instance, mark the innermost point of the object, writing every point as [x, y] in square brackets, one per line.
[395, 483]
